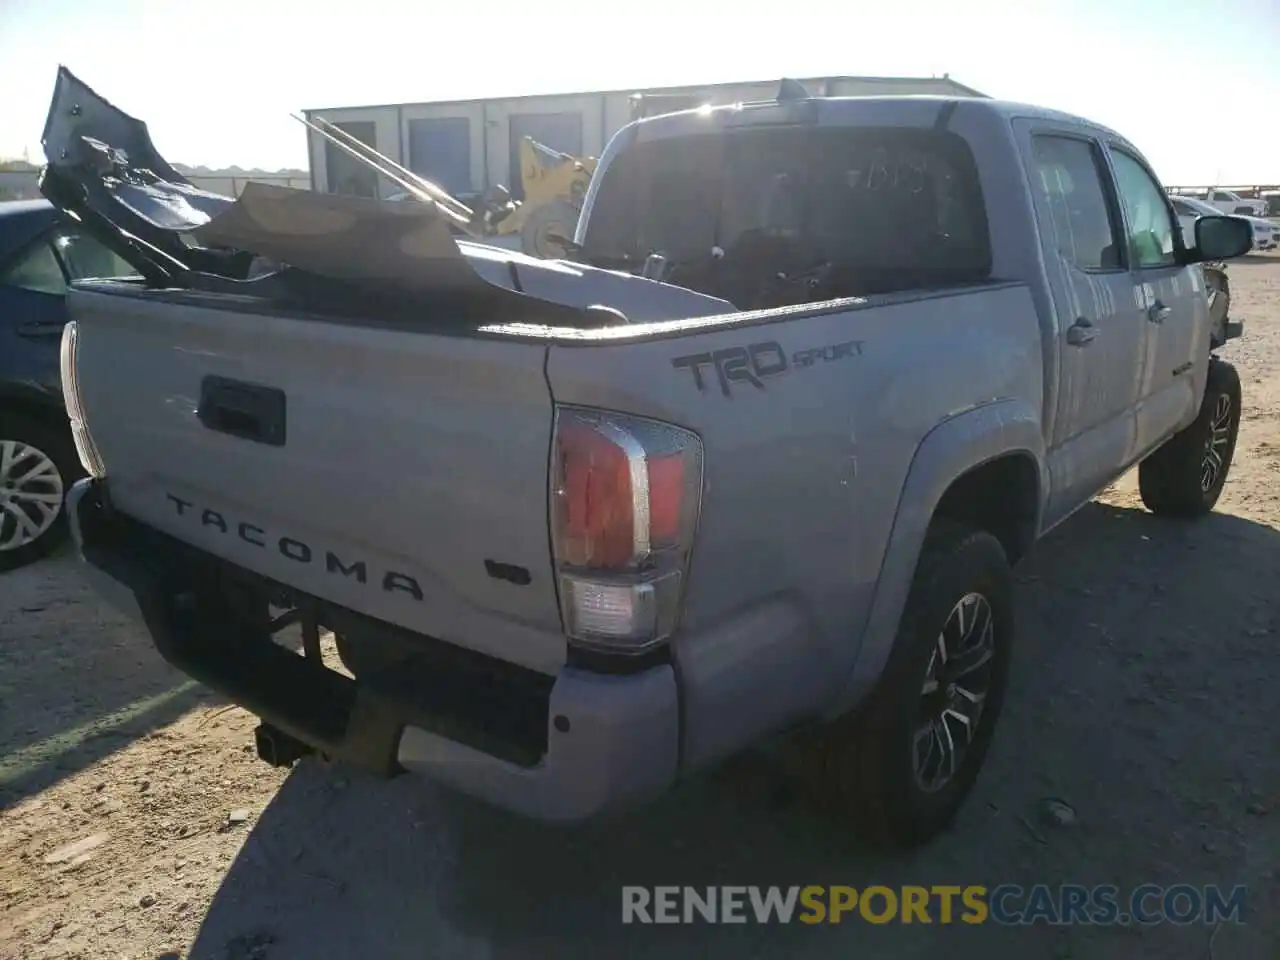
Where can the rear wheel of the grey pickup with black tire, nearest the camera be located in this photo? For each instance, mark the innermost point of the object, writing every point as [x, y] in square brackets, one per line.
[872, 767]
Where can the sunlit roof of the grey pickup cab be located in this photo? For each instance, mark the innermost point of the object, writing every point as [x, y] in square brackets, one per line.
[909, 111]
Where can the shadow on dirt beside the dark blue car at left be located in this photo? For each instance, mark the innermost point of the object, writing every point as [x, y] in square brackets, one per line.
[77, 682]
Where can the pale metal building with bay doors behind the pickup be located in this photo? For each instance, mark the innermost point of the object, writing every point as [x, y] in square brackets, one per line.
[470, 145]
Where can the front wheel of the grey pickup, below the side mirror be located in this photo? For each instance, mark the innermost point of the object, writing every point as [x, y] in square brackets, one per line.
[1185, 477]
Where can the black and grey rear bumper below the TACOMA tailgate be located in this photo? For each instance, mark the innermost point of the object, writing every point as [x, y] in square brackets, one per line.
[611, 742]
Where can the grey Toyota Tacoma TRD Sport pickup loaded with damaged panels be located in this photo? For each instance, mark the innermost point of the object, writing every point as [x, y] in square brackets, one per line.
[756, 459]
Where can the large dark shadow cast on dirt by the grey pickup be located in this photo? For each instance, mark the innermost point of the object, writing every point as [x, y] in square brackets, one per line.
[1142, 692]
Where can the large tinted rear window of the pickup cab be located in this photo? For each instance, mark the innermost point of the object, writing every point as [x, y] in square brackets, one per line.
[888, 208]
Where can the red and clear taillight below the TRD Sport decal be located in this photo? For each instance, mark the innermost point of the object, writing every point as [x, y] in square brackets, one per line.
[625, 500]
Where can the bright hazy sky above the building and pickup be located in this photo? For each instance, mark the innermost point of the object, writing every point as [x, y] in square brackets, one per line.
[1196, 86]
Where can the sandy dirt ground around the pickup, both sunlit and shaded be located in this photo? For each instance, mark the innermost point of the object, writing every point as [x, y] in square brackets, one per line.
[135, 821]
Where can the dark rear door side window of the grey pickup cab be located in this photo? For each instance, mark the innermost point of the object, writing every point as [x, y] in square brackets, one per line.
[1071, 176]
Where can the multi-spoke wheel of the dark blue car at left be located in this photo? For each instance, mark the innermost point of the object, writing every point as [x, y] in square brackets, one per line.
[38, 467]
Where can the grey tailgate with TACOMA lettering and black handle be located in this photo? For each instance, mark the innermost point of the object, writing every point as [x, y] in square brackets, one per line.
[401, 474]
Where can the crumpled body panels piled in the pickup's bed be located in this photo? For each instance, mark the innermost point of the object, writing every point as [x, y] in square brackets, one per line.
[316, 253]
